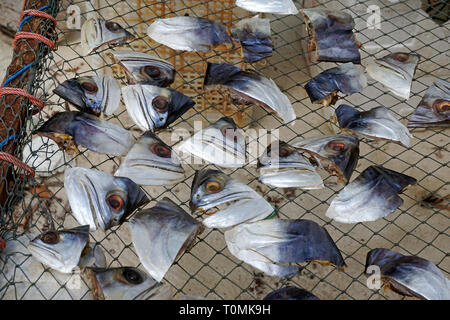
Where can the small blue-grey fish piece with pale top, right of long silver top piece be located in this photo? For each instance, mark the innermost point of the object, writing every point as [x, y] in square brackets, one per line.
[254, 36]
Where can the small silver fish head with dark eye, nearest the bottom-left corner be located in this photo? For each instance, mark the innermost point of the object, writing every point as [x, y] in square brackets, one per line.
[60, 250]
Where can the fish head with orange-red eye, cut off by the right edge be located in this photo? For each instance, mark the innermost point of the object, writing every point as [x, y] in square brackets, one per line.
[434, 108]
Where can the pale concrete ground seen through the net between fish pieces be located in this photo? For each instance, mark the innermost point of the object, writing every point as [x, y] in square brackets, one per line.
[208, 269]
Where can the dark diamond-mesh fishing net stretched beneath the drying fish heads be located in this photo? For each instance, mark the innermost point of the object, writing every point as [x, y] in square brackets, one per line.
[35, 204]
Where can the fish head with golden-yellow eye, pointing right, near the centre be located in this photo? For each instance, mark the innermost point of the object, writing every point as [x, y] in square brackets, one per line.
[212, 188]
